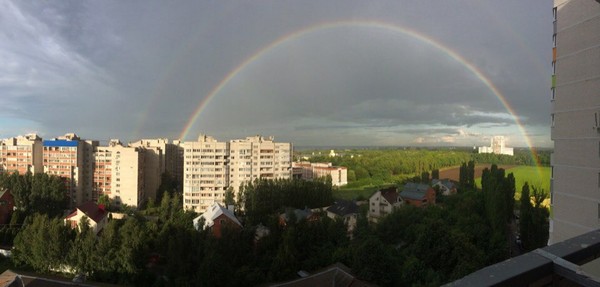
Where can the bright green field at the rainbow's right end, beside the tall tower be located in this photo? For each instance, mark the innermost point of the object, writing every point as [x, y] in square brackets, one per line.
[529, 174]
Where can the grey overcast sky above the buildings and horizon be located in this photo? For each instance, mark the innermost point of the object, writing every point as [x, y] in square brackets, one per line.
[139, 69]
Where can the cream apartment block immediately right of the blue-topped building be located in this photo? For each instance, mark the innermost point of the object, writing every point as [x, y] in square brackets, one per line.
[119, 173]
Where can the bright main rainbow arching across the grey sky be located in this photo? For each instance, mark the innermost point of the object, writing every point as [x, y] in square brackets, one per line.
[362, 24]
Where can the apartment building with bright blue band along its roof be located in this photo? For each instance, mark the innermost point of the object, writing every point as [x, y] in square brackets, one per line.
[72, 159]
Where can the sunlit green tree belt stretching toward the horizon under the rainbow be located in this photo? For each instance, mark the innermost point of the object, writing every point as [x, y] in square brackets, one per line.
[381, 167]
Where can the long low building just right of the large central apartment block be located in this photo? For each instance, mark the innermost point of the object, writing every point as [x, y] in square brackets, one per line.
[309, 171]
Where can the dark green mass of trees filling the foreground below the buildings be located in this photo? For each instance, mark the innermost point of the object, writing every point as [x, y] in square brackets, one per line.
[158, 246]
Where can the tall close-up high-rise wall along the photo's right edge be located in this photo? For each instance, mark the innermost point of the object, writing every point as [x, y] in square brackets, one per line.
[575, 119]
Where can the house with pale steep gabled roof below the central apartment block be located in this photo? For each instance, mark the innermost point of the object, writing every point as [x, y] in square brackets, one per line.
[216, 218]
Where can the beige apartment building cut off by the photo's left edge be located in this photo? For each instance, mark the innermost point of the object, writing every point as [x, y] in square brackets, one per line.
[21, 154]
